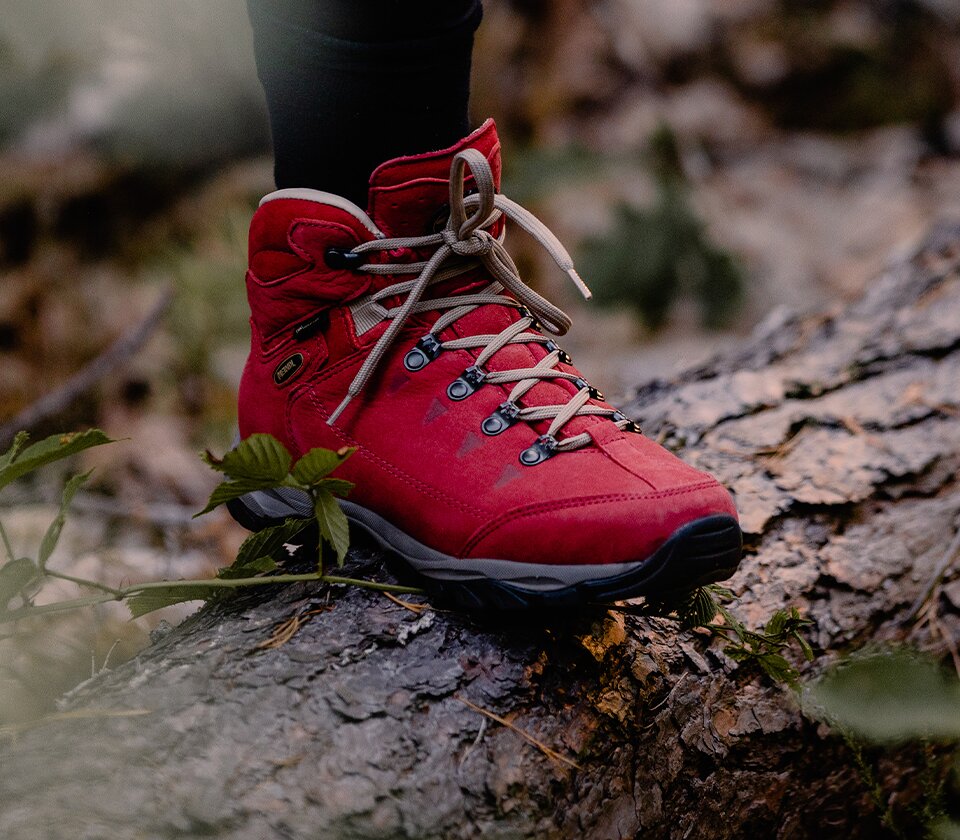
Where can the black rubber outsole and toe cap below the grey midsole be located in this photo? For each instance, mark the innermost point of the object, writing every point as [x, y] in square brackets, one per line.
[701, 552]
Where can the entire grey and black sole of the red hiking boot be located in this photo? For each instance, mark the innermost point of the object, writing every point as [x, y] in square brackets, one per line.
[703, 551]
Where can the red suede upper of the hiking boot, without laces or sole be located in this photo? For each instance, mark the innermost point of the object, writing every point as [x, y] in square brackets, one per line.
[422, 461]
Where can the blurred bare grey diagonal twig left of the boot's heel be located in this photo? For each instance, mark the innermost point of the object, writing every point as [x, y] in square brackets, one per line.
[114, 356]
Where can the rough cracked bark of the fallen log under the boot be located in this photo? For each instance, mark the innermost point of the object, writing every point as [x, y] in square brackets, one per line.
[841, 438]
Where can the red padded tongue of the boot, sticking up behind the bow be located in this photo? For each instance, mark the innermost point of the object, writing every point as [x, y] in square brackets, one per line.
[408, 195]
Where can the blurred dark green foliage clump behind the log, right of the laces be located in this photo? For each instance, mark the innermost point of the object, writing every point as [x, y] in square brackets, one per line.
[652, 256]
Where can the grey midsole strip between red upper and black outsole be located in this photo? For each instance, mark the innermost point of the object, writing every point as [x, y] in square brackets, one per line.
[284, 502]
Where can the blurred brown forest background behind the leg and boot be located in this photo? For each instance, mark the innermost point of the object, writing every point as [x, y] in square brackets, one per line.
[707, 161]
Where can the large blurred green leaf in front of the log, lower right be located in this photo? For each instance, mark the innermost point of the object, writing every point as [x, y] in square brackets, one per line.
[889, 697]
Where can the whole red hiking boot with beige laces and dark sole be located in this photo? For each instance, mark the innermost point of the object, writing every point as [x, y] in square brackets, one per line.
[484, 458]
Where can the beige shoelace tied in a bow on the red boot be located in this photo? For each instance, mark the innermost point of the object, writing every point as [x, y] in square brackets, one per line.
[465, 244]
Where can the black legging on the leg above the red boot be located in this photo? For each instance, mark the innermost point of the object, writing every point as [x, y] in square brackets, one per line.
[351, 83]
